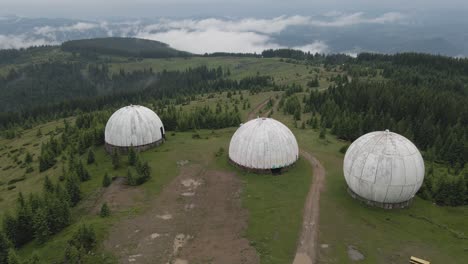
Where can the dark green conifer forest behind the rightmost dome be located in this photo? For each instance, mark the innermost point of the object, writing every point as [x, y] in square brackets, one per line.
[422, 97]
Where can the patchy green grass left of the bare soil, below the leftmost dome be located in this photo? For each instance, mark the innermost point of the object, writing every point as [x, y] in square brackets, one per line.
[163, 161]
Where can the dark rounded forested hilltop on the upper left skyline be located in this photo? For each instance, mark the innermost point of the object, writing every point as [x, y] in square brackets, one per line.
[124, 47]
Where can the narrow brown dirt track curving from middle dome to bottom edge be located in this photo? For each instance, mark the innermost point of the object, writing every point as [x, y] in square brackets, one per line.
[307, 249]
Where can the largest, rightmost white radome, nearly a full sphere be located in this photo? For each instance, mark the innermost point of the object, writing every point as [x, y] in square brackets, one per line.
[384, 167]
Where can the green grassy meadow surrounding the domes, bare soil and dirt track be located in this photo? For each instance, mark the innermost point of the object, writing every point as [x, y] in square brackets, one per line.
[275, 203]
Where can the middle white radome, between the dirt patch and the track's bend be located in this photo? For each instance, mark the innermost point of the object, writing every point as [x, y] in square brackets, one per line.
[264, 144]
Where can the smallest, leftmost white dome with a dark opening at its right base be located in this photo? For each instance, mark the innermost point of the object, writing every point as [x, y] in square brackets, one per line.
[133, 125]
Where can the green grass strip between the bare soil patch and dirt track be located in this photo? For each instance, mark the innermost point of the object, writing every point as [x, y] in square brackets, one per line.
[275, 205]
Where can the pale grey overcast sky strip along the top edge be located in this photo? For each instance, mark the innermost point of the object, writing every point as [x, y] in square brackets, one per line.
[238, 8]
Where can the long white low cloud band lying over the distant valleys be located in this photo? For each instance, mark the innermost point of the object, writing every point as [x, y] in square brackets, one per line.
[200, 35]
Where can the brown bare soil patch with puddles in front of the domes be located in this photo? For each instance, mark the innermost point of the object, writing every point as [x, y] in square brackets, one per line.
[205, 227]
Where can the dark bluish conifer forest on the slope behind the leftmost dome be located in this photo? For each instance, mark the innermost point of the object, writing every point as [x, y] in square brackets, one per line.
[99, 89]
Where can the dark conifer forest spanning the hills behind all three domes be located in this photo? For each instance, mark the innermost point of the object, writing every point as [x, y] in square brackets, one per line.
[420, 96]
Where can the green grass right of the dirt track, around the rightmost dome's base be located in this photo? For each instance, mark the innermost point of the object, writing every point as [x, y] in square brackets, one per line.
[383, 236]
